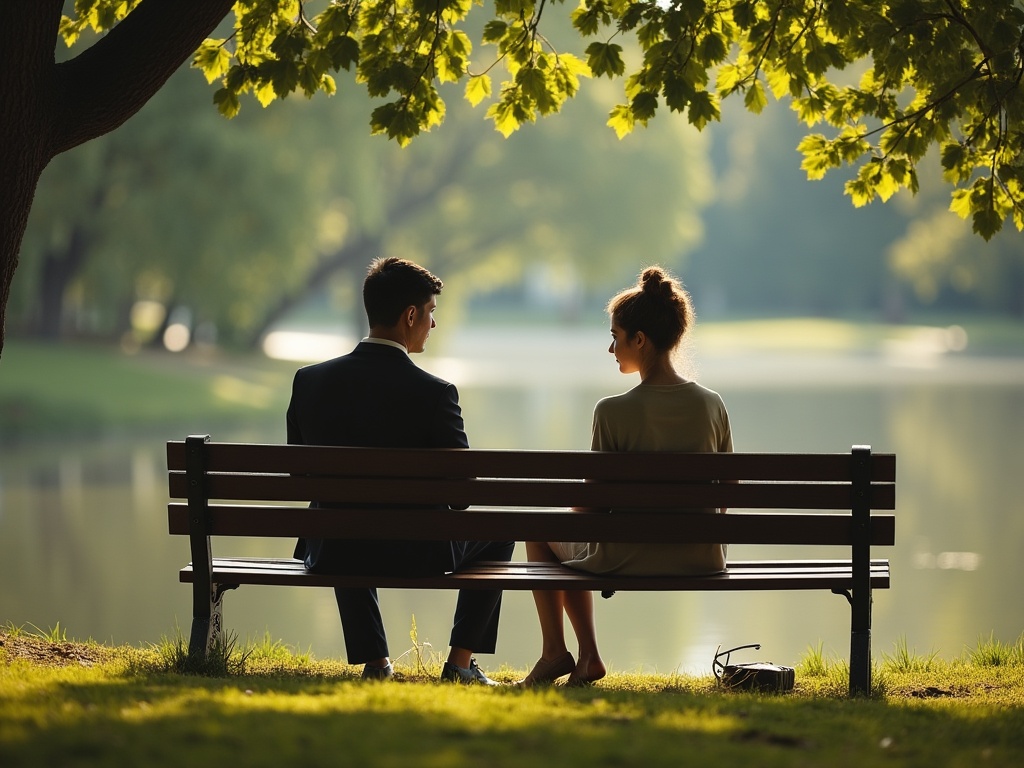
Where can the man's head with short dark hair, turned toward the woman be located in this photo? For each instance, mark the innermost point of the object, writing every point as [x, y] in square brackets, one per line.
[399, 296]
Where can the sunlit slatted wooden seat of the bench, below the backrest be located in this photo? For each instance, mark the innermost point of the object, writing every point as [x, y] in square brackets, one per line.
[525, 576]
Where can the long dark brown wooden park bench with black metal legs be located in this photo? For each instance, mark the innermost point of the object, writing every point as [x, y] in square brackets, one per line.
[774, 499]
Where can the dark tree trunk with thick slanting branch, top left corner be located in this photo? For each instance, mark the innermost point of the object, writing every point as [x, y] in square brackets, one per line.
[49, 108]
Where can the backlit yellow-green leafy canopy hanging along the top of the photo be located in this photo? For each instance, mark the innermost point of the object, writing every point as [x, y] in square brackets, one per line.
[892, 79]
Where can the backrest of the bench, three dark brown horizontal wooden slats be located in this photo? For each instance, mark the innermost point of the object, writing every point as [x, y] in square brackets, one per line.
[372, 493]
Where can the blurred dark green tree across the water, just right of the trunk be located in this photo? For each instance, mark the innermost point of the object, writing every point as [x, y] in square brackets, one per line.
[170, 210]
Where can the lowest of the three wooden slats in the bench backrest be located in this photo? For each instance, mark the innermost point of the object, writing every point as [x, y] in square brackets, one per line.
[489, 525]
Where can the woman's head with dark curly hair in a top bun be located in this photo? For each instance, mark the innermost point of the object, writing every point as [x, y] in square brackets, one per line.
[658, 306]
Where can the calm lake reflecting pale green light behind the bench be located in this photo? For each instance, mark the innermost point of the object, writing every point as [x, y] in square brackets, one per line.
[83, 533]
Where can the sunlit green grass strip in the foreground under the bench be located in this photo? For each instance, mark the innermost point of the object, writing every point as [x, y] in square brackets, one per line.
[127, 706]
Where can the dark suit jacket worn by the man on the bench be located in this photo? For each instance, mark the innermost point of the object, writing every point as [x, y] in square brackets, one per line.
[375, 397]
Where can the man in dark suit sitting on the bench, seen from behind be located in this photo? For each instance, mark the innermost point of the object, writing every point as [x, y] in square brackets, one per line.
[376, 397]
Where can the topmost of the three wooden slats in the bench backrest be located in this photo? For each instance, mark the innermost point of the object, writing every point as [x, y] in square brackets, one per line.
[642, 466]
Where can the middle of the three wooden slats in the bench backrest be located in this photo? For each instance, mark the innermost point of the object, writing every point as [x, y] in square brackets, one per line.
[535, 493]
